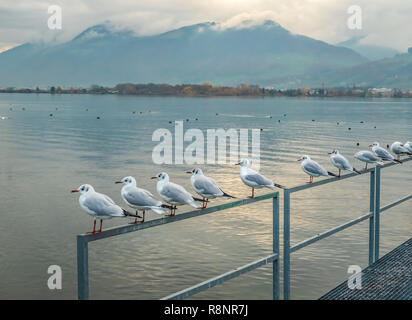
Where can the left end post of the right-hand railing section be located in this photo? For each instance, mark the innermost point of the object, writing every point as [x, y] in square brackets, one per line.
[286, 244]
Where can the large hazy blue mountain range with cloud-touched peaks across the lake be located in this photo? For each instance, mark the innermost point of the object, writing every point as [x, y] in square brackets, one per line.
[264, 54]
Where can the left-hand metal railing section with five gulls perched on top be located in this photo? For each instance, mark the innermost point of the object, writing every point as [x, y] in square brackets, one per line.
[84, 239]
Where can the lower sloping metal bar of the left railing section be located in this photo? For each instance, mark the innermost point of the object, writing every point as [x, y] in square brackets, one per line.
[221, 278]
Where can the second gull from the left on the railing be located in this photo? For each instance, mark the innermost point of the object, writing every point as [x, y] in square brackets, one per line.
[139, 198]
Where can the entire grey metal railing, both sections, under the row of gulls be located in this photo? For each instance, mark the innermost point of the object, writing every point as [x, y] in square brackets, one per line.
[374, 235]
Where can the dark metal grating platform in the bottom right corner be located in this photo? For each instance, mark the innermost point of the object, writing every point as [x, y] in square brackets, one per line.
[389, 278]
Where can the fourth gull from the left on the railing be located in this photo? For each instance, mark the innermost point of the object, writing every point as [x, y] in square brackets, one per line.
[206, 187]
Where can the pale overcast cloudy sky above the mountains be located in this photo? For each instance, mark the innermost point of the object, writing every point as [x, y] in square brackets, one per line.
[384, 22]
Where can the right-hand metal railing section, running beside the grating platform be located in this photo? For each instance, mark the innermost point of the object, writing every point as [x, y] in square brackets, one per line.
[373, 215]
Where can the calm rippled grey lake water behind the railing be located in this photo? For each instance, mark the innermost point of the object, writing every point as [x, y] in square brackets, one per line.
[42, 158]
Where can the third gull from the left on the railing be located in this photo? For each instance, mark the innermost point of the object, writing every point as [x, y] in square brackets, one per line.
[173, 193]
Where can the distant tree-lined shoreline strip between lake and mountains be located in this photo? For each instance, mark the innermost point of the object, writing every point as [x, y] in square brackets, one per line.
[208, 90]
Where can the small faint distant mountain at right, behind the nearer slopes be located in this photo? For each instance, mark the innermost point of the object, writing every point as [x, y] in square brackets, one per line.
[369, 51]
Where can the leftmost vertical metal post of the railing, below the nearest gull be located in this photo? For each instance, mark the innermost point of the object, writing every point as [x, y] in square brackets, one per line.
[82, 269]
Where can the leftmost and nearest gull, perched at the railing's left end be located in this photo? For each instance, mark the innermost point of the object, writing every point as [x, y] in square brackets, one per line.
[99, 206]
